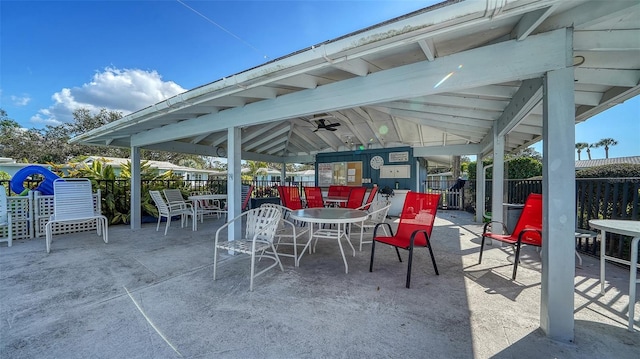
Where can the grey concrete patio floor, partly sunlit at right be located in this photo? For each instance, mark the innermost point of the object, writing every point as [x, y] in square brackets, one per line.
[144, 295]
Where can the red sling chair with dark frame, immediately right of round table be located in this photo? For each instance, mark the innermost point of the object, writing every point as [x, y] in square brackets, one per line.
[414, 228]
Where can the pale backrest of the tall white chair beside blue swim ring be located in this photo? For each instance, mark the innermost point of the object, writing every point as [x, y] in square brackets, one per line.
[72, 199]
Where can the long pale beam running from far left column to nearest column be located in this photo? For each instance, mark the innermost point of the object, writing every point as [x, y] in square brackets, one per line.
[534, 56]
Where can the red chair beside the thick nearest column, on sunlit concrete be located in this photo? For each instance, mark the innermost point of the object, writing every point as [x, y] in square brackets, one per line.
[528, 229]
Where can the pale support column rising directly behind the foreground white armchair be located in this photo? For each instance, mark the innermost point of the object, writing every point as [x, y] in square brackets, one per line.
[234, 180]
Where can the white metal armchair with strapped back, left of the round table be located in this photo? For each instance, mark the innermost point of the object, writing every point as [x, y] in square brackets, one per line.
[260, 230]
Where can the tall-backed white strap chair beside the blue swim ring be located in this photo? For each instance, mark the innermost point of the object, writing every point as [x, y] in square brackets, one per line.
[73, 203]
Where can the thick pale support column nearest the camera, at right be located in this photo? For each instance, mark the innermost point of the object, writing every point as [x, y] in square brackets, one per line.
[558, 206]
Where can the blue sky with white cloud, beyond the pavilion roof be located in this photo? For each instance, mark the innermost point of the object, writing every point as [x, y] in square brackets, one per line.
[56, 56]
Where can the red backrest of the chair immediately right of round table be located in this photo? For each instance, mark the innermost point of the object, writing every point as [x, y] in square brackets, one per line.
[418, 212]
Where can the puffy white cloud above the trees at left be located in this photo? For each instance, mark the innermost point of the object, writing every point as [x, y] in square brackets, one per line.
[123, 90]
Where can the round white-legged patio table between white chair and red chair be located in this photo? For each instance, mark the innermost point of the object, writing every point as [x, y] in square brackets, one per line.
[341, 217]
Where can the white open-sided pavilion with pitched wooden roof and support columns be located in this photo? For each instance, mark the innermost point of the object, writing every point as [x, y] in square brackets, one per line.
[477, 78]
